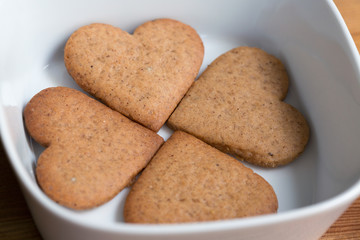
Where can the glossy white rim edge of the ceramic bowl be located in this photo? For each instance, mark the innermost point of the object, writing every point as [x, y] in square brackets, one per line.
[341, 200]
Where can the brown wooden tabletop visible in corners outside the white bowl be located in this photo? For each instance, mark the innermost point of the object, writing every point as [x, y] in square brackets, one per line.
[16, 222]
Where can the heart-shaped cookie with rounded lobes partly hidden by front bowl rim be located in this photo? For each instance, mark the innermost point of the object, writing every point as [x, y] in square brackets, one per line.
[190, 181]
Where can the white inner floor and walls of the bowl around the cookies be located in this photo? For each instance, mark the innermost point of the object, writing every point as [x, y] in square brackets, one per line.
[323, 78]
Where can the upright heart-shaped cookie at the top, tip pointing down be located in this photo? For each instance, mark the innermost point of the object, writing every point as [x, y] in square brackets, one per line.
[143, 75]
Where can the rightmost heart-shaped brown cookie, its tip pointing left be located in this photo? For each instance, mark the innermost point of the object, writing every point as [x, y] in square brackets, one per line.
[237, 106]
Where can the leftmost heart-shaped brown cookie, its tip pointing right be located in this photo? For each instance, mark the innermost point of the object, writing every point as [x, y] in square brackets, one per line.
[92, 152]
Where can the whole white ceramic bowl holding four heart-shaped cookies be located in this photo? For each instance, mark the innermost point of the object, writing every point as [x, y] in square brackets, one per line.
[309, 36]
